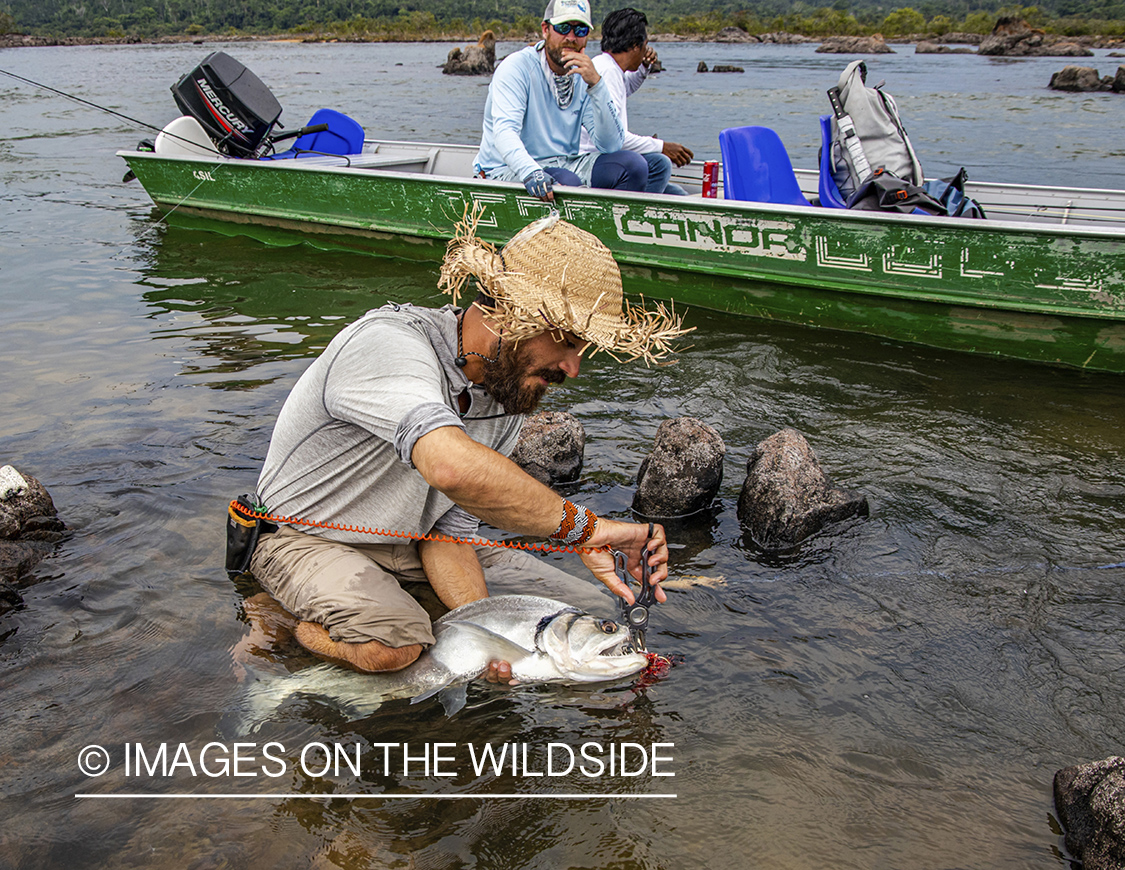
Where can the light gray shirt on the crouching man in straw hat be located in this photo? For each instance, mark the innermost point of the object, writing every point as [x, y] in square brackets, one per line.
[343, 445]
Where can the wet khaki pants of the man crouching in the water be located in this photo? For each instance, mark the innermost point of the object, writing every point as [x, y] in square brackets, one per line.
[355, 591]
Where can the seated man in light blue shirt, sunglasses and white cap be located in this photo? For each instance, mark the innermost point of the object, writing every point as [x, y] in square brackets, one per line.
[541, 101]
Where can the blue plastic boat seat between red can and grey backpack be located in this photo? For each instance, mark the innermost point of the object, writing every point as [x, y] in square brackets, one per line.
[757, 167]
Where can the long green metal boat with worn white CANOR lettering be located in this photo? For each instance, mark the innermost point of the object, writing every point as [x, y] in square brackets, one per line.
[1043, 279]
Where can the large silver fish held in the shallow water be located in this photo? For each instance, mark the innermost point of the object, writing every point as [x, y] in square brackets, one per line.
[545, 642]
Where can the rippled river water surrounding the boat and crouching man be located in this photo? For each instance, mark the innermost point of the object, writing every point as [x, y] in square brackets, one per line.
[897, 693]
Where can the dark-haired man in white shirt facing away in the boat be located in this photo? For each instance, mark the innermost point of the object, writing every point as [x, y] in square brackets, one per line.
[624, 66]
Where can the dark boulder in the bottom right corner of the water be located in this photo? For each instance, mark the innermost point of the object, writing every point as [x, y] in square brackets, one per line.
[1091, 803]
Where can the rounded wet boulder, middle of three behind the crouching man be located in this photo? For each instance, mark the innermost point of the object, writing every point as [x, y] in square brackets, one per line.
[683, 473]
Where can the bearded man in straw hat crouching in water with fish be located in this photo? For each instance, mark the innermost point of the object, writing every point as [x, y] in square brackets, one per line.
[404, 425]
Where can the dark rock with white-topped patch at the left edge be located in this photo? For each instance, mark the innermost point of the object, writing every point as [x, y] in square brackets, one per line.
[30, 525]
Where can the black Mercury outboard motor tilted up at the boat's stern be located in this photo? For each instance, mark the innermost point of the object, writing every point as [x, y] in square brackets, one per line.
[232, 104]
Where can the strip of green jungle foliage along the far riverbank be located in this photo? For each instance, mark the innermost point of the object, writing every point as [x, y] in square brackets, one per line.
[457, 20]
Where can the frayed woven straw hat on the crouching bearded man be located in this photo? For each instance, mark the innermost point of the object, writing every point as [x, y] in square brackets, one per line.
[554, 276]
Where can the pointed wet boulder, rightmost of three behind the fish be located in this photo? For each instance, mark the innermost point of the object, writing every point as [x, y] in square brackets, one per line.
[787, 497]
